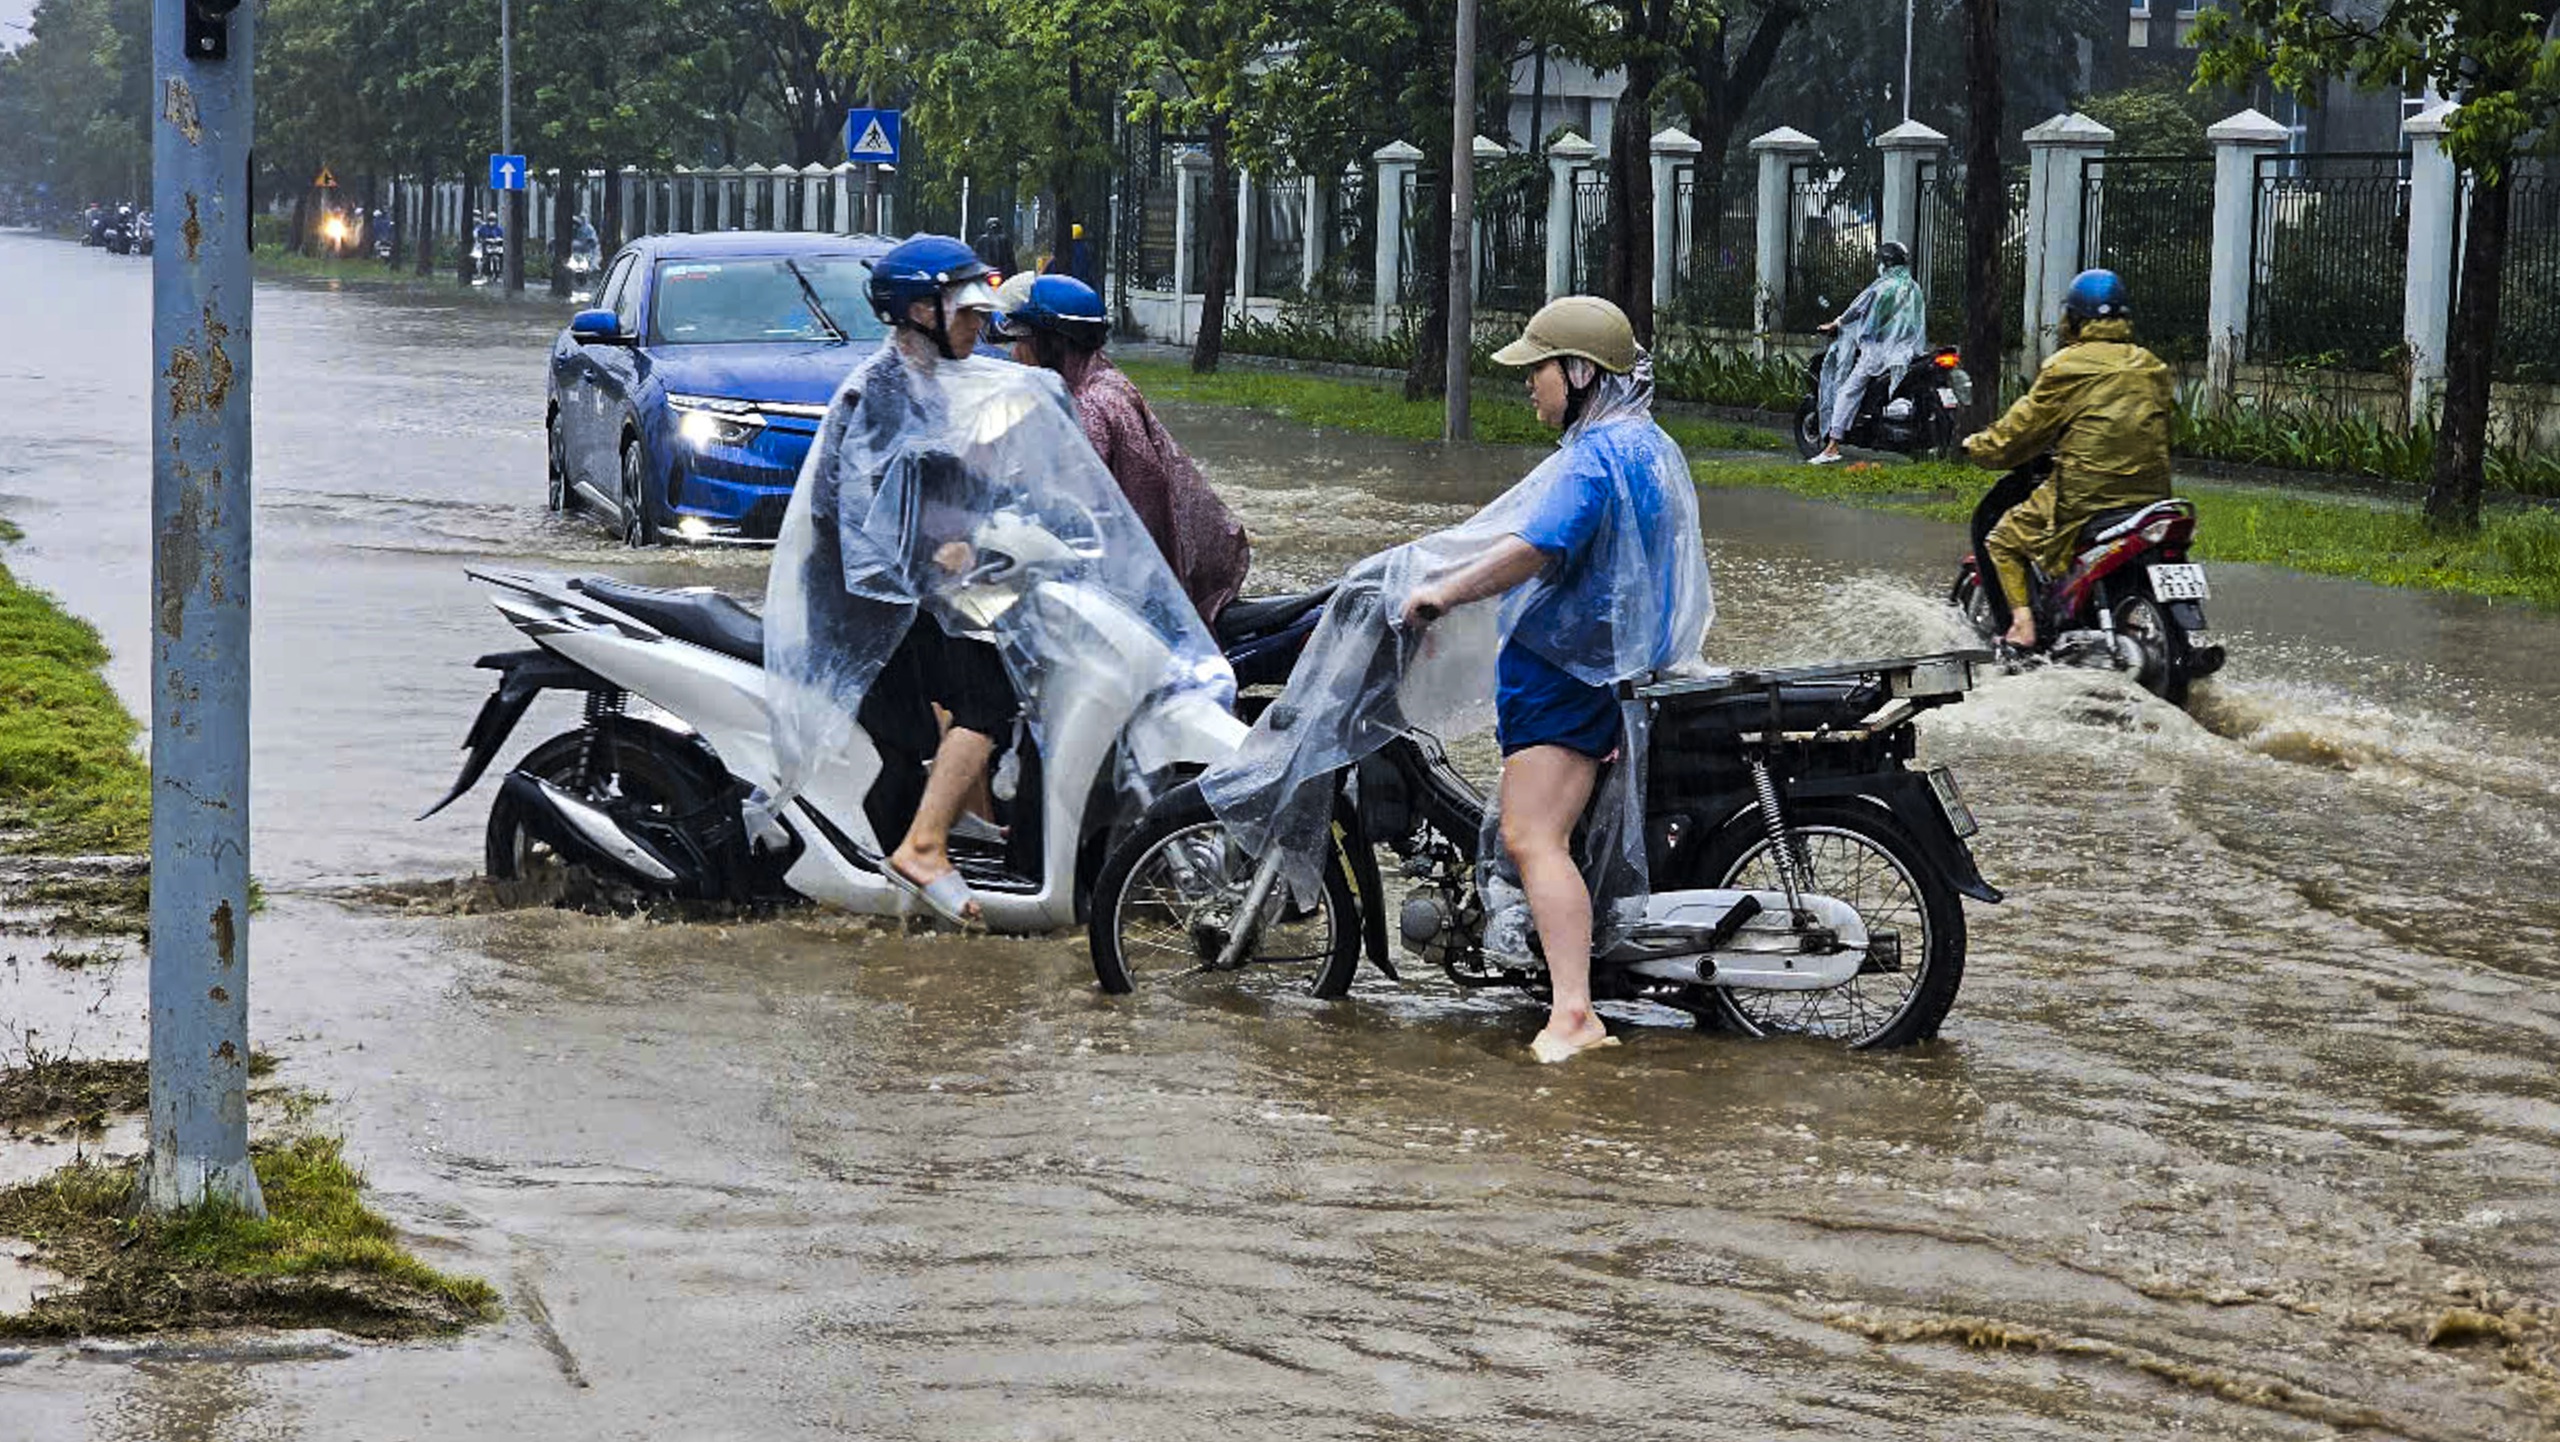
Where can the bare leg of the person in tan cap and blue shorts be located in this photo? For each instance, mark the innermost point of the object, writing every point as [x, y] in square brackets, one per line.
[1545, 790]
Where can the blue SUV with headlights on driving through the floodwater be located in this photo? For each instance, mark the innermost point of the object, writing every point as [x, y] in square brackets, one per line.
[687, 401]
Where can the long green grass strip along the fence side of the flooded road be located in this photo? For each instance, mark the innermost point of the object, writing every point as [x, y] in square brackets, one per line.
[2369, 539]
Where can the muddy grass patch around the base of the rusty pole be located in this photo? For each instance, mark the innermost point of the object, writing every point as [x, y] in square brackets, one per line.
[319, 1259]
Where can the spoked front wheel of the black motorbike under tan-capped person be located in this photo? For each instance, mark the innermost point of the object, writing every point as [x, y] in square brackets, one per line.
[1166, 905]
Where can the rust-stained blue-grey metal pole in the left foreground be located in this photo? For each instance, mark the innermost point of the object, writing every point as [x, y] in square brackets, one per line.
[201, 63]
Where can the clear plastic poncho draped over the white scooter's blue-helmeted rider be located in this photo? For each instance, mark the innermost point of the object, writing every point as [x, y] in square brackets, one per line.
[915, 457]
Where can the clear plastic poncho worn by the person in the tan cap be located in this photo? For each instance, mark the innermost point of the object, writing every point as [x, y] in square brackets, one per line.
[1363, 677]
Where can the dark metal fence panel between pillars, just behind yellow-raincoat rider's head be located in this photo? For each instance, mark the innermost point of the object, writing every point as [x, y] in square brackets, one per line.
[2152, 222]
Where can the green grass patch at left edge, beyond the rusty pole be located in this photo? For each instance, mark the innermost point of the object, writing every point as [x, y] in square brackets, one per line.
[70, 780]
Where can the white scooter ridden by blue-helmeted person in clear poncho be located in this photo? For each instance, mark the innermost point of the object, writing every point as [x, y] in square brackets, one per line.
[652, 795]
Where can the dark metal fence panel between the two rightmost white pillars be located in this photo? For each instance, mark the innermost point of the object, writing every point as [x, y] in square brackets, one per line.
[2331, 257]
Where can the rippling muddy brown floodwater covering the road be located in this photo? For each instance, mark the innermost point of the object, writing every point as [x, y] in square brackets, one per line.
[2244, 1126]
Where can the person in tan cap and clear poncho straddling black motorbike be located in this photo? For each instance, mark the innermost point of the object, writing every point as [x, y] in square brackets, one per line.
[1601, 578]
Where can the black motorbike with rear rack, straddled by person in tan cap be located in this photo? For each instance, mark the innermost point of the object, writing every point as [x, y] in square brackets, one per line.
[1806, 877]
